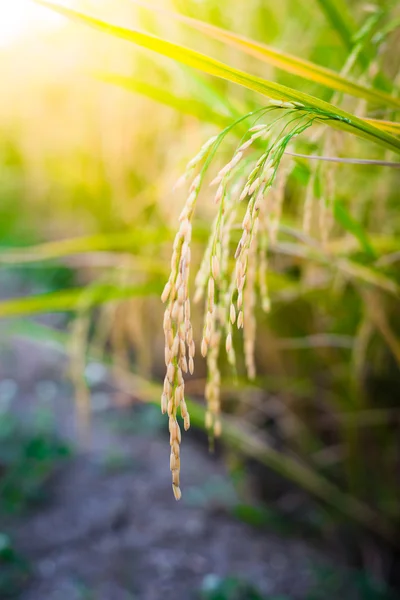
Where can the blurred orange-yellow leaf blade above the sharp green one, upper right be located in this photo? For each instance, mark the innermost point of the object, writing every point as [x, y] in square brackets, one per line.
[286, 62]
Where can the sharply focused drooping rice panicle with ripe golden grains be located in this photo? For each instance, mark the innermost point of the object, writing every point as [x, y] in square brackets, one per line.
[244, 185]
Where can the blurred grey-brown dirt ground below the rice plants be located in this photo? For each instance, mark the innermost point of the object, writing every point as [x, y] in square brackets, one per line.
[111, 529]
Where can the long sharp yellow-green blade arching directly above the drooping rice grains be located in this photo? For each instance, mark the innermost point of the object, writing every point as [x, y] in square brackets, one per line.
[336, 117]
